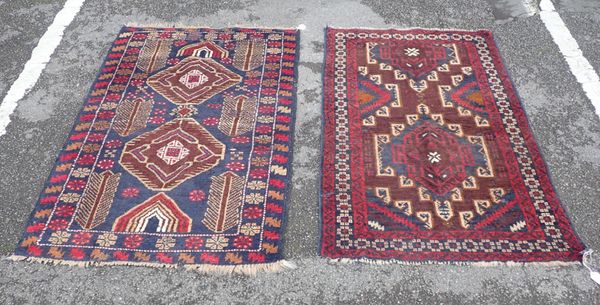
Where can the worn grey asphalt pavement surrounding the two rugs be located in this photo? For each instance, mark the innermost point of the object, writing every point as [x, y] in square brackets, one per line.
[562, 119]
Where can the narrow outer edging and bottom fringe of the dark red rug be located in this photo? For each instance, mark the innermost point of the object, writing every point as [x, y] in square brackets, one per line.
[475, 263]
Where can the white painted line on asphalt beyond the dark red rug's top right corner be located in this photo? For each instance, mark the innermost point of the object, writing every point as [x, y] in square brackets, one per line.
[579, 65]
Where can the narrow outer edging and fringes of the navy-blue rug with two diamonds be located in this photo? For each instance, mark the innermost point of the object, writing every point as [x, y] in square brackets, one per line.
[244, 269]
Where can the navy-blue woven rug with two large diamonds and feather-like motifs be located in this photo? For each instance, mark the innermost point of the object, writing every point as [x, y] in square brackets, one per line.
[180, 155]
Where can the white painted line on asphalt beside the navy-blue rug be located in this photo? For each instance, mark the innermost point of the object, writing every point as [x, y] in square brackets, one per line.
[39, 58]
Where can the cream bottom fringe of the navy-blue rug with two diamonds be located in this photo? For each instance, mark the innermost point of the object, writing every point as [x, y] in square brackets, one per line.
[249, 270]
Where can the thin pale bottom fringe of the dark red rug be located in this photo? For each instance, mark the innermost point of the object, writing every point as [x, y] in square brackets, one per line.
[370, 261]
